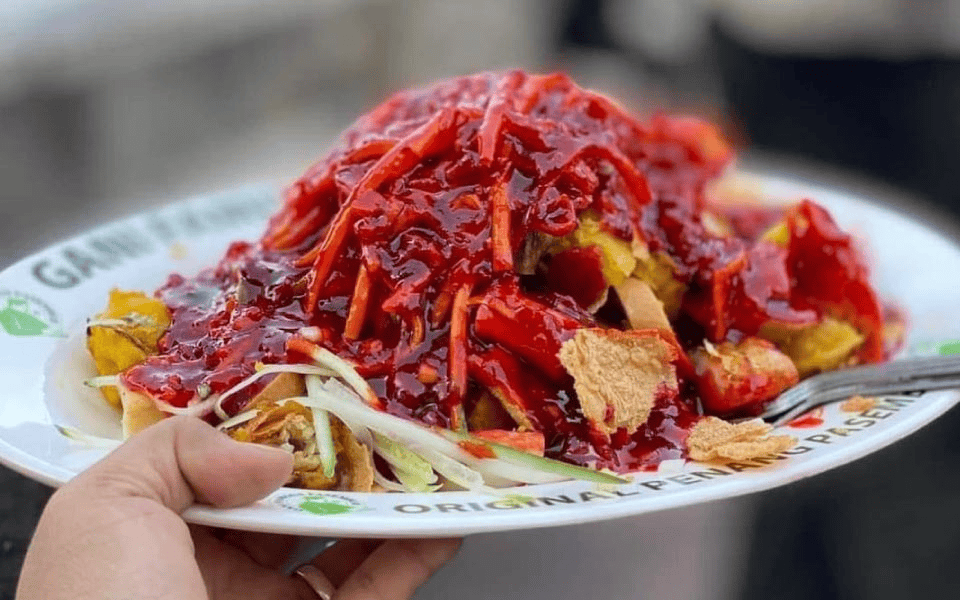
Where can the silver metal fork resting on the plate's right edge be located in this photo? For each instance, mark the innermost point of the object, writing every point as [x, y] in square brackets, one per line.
[897, 377]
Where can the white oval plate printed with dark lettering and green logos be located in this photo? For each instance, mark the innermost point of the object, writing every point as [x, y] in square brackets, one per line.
[46, 298]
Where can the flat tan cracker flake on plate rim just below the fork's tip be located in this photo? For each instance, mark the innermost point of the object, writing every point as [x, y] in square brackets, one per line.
[715, 439]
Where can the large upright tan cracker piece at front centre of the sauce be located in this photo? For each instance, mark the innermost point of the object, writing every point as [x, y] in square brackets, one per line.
[618, 375]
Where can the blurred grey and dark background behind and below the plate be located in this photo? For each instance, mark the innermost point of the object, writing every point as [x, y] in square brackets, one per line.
[108, 107]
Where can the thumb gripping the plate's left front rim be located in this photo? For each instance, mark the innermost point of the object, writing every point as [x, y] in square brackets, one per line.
[182, 460]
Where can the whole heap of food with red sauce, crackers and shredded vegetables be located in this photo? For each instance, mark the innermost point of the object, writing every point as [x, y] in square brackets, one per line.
[500, 279]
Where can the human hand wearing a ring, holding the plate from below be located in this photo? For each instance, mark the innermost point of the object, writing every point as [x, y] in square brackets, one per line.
[115, 530]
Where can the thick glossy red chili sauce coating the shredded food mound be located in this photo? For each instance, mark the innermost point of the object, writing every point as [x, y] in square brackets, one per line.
[402, 249]
